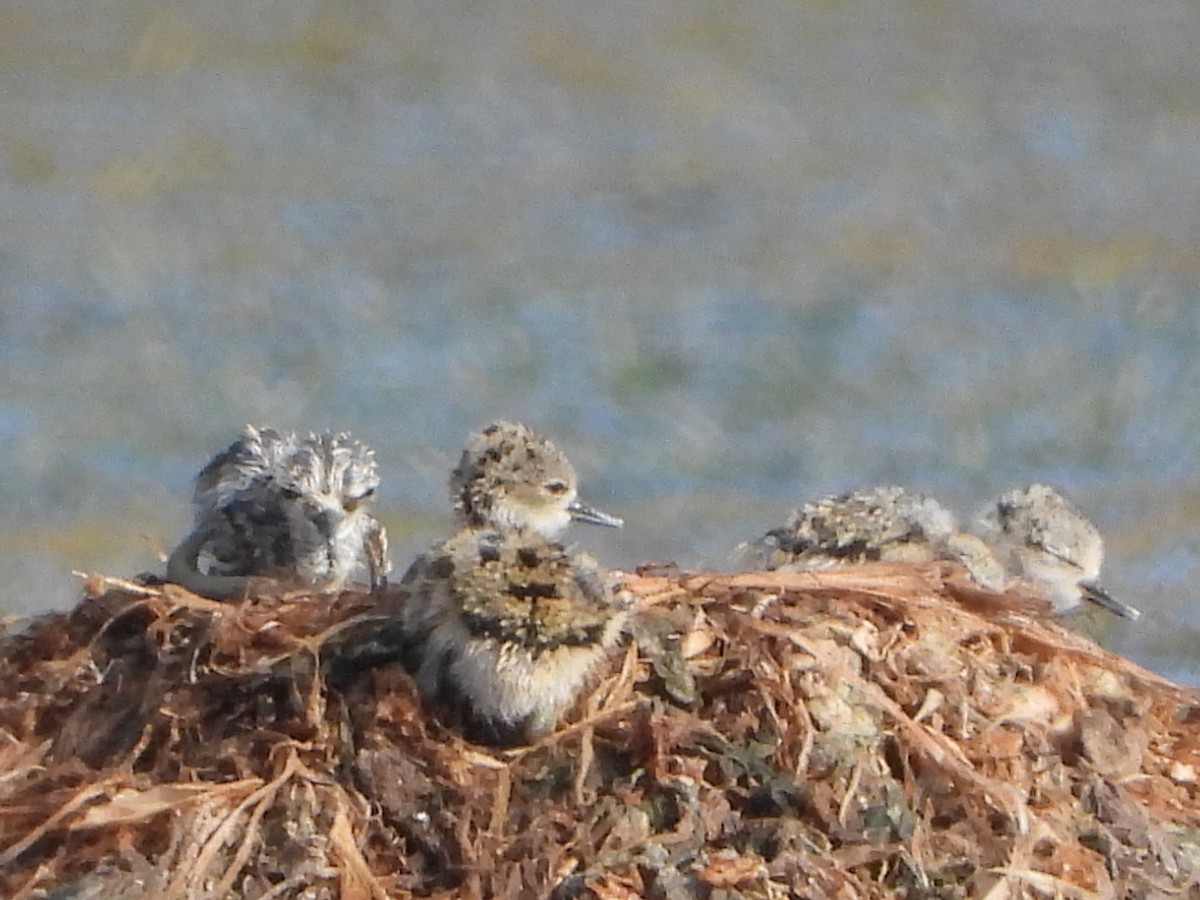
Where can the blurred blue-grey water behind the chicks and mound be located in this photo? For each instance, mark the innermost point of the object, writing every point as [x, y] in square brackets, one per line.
[729, 256]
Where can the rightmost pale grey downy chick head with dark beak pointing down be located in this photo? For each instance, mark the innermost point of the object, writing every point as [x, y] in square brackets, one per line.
[1052, 543]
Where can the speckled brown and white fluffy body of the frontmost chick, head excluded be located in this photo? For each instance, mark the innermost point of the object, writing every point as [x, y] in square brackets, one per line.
[511, 626]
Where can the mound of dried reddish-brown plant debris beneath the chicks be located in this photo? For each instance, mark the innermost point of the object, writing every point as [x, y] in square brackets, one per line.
[873, 733]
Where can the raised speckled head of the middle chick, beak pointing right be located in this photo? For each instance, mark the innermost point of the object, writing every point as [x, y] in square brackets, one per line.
[511, 477]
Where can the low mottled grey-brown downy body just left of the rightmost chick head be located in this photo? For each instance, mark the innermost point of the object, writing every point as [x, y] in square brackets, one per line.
[884, 524]
